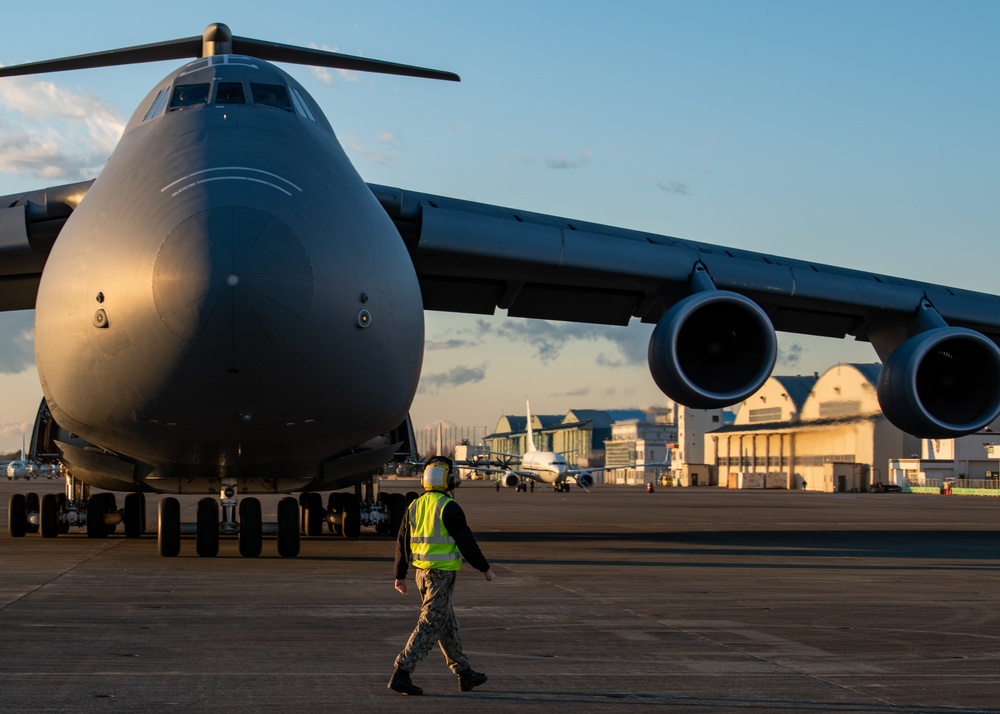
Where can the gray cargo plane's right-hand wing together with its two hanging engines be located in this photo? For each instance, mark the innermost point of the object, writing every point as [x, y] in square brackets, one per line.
[716, 309]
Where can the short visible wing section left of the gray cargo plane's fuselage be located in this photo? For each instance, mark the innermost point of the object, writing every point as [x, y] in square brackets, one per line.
[29, 225]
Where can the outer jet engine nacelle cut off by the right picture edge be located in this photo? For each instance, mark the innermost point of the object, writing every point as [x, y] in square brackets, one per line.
[942, 383]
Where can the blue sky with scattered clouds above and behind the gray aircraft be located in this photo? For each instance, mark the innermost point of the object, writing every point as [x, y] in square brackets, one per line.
[864, 134]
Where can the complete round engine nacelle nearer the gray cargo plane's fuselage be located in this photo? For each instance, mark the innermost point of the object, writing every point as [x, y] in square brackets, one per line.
[712, 349]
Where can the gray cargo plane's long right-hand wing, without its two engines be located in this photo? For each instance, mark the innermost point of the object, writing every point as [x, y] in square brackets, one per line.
[475, 258]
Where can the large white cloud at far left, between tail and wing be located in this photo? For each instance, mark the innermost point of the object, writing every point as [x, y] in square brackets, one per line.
[52, 132]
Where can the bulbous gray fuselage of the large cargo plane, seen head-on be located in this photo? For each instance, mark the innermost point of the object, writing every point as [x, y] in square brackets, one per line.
[231, 248]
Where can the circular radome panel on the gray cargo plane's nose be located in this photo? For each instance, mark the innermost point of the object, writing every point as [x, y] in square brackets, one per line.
[232, 278]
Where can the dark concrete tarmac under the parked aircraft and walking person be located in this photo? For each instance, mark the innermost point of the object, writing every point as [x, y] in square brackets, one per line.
[687, 600]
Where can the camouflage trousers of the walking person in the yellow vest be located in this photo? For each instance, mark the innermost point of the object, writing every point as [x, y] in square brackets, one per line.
[437, 623]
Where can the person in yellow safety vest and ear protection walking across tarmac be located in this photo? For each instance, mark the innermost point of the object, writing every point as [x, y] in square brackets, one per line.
[435, 536]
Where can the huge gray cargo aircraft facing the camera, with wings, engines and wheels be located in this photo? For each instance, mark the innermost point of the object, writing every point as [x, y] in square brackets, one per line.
[229, 309]
